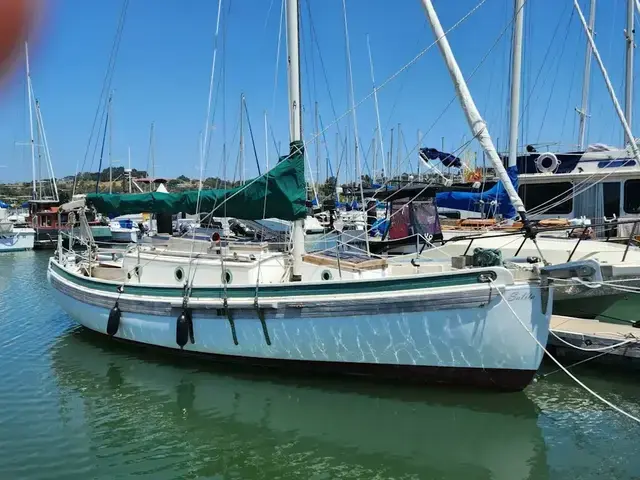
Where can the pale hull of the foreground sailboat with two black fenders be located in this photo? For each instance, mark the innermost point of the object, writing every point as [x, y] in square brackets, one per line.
[436, 334]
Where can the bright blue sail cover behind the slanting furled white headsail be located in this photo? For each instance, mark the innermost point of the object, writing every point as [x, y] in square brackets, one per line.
[470, 201]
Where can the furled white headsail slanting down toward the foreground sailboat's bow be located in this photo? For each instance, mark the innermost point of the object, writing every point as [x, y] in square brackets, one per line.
[476, 123]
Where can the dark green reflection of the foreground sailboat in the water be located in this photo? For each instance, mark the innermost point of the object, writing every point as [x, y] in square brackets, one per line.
[142, 410]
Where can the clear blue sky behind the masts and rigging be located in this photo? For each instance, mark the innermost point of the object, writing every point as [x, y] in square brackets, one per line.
[163, 67]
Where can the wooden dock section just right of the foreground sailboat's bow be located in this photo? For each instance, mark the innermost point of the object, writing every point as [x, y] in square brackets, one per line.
[611, 343]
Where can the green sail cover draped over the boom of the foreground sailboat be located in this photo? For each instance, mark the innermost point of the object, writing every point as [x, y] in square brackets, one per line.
[284, 186]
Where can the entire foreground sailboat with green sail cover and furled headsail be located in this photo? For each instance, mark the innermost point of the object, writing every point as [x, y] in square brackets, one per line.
[482, 326]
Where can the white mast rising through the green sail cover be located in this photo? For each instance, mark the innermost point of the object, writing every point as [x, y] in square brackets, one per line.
[295, 119]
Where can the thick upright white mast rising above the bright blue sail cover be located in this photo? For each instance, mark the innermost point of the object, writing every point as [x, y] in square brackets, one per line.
[516, 62]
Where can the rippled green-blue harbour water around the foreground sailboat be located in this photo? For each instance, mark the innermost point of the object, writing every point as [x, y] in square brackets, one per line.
[76, 406]
